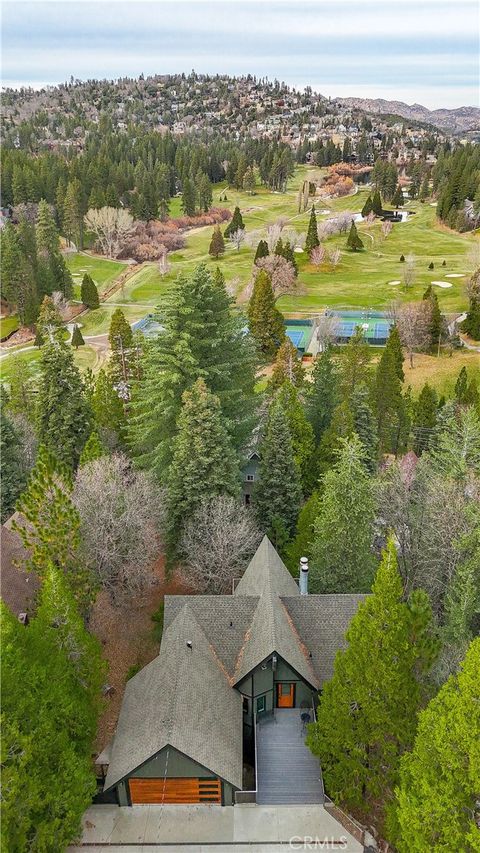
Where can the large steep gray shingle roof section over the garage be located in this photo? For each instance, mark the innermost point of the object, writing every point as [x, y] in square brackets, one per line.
[170, 701]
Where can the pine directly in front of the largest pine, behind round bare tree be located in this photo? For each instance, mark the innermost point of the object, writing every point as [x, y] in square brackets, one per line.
[204, 463]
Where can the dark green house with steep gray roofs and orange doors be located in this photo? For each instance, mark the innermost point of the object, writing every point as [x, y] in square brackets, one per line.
[187, 722]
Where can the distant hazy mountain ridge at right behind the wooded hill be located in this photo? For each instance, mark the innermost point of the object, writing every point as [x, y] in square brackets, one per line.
[456, 120]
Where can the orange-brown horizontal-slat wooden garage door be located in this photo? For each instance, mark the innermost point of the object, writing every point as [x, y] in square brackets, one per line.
[178, 790]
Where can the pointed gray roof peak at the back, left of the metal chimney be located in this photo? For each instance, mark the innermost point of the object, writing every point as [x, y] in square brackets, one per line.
[266, 573]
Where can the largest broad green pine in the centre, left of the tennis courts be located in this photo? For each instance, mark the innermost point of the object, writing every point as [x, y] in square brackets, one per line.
[203, 337]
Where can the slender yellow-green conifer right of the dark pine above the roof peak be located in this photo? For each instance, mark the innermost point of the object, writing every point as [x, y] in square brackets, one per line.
[301, 432]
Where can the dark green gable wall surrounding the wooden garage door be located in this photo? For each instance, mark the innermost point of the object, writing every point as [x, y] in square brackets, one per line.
[174, 764]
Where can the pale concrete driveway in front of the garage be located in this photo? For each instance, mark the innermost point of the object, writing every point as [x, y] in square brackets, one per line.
[208, 828]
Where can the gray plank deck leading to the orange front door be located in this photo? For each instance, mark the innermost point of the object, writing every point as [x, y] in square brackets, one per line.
[287, 772]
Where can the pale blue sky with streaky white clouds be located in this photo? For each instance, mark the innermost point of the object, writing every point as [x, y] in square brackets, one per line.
[418, 51]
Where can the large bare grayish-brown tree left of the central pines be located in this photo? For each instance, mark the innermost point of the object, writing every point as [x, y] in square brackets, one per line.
[121, 514]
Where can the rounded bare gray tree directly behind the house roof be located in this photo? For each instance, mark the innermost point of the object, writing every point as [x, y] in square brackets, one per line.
[217, 544]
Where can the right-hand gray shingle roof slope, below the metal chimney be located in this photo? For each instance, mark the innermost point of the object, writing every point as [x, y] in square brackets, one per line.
[321, 622]
